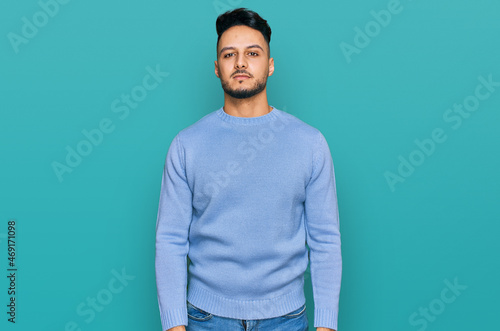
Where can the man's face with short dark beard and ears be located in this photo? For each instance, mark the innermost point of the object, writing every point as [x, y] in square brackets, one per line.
[243, 62]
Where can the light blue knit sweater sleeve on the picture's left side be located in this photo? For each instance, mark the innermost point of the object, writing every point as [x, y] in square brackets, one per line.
[172, 228]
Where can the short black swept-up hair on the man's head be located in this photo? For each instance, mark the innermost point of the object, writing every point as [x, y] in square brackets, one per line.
[243, 16]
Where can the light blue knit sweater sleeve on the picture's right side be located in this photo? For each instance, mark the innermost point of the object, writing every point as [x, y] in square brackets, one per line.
[323, 237]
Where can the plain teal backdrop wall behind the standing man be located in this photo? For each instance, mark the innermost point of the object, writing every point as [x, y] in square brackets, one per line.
[399, 246]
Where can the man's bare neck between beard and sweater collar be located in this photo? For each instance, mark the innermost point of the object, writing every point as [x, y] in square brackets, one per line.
[249, 107]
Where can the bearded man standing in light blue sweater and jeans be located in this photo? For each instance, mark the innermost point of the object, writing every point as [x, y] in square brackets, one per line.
[244, 189]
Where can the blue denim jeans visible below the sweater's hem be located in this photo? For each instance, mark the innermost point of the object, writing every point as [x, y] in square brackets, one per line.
[199, 320]
